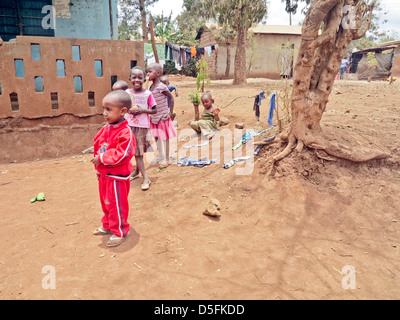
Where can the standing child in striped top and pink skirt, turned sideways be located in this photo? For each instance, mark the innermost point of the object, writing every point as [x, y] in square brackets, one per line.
[162, 127]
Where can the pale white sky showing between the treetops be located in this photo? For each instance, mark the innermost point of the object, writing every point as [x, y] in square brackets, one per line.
[278, 16]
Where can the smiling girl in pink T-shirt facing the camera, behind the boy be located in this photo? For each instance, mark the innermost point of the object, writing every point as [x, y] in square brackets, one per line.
[143, 104]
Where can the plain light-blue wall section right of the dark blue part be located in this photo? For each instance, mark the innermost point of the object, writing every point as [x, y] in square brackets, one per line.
[90, 19]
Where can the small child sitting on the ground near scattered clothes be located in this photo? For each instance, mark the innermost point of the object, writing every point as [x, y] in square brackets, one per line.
[208, 124]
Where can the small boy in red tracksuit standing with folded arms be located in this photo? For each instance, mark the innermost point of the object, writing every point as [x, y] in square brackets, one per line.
[114, 147]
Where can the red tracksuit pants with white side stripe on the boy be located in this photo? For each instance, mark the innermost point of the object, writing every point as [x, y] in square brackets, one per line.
[114, 202]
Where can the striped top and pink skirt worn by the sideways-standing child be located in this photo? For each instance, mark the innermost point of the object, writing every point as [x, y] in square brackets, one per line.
[161, 124]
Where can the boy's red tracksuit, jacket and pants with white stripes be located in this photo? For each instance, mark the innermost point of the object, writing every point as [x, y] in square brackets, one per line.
[115, 145]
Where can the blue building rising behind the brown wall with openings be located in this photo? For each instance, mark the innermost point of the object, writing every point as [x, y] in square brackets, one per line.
[90, 19]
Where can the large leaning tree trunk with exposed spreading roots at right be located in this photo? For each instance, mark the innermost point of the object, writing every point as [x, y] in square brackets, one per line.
[317, 65]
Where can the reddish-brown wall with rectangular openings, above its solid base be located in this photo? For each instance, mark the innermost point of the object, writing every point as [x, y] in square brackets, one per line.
[19, 96]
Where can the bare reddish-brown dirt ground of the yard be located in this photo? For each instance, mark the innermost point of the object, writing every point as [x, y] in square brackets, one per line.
[295, 236]
